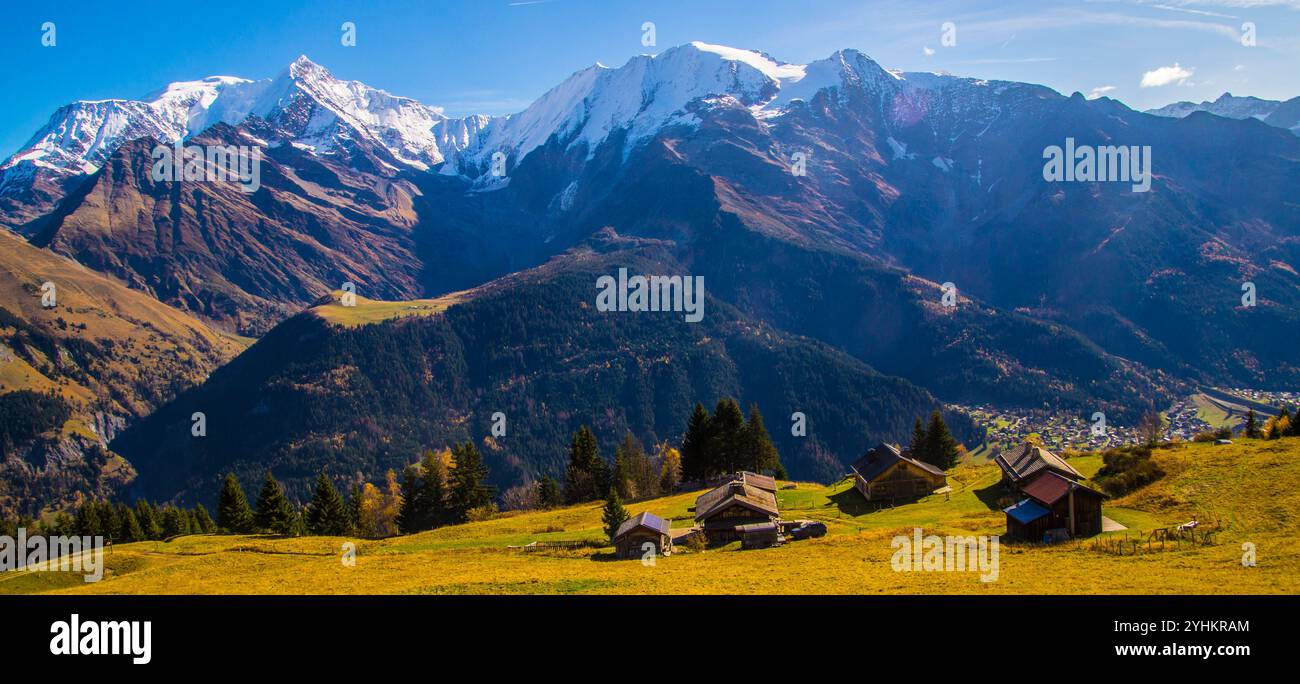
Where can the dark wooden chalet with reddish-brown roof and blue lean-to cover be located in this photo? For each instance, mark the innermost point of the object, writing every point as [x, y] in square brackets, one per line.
[1055, 503]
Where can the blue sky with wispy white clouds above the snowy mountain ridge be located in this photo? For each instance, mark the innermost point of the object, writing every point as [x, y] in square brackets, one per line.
[496, 57]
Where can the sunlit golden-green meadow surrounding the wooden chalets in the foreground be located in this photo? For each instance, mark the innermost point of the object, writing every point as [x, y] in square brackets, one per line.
[1251, 488]
